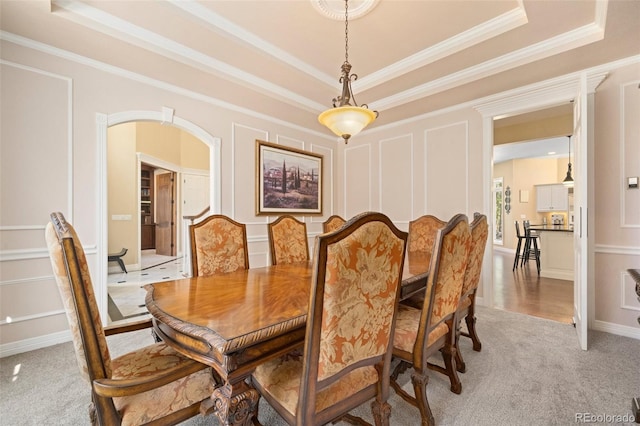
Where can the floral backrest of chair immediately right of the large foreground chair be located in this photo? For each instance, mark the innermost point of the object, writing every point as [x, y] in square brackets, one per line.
[446, 275]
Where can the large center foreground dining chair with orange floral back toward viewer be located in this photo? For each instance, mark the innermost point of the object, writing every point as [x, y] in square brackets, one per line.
[346, 358]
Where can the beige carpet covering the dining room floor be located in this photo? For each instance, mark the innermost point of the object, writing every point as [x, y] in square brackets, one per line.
[530, 372]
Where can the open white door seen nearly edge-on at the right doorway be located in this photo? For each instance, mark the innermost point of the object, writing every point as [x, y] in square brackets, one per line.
[580, 236]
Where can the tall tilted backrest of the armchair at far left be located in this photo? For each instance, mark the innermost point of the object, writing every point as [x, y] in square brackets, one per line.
[71, 272]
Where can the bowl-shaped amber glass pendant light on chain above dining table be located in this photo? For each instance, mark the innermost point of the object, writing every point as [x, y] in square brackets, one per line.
[346, 119]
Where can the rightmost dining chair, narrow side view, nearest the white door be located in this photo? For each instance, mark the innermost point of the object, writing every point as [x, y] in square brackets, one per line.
[479, 229]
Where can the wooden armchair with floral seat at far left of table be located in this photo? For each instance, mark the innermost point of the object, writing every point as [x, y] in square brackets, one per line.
[153, 384]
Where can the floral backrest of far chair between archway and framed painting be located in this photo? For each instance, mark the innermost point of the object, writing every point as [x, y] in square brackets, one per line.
[218, 245]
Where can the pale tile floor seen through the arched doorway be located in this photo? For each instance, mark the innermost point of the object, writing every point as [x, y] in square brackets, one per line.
[126, 295]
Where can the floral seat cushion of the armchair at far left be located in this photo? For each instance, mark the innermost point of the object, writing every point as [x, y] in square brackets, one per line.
[159, 402]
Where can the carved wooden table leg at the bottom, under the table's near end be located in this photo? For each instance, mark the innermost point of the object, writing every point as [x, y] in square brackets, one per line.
[233, 404]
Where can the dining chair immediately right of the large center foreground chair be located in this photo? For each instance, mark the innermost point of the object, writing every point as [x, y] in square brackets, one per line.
[420, 333]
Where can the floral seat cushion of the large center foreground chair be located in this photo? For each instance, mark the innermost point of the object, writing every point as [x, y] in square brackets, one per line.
[279, 378]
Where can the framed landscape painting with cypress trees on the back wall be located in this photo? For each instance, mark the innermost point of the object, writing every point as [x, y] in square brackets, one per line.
[288, 180]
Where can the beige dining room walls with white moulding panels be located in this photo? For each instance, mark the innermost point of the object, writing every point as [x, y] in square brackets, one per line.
[433, 165]
